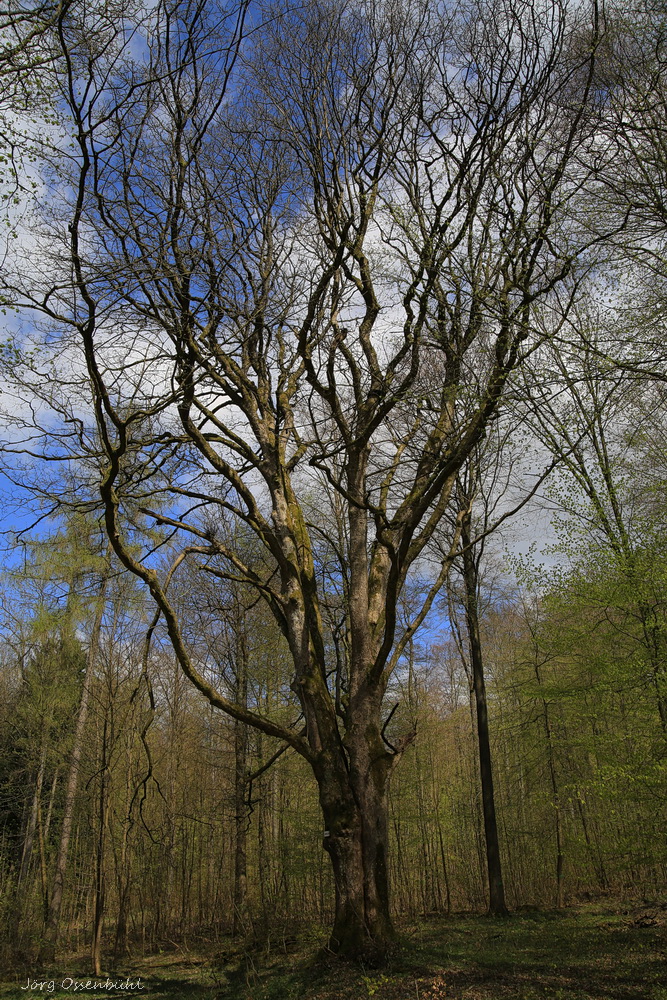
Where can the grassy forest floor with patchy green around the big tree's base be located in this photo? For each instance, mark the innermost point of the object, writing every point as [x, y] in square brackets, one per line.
[582, 953]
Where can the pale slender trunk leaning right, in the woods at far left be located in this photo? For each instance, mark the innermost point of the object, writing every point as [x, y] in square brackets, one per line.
[52, 929]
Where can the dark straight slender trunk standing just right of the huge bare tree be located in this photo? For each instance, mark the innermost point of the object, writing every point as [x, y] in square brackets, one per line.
[497, 905]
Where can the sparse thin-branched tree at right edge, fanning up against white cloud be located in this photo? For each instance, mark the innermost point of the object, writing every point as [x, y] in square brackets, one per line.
[594, 420]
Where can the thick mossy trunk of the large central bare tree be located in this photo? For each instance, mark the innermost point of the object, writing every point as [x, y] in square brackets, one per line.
[352, 771]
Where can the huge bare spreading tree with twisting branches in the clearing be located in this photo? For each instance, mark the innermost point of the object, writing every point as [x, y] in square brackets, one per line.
[275, 266]
